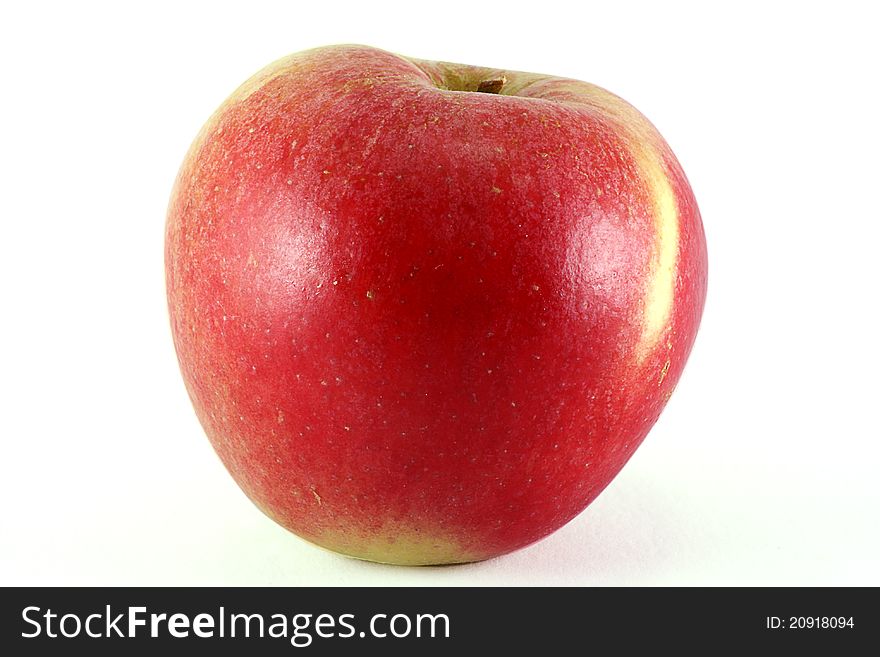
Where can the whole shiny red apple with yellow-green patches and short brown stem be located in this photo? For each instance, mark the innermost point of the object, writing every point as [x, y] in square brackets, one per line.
[421, 323]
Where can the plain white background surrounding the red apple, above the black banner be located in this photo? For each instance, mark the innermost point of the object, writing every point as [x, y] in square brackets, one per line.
[763, 468]
